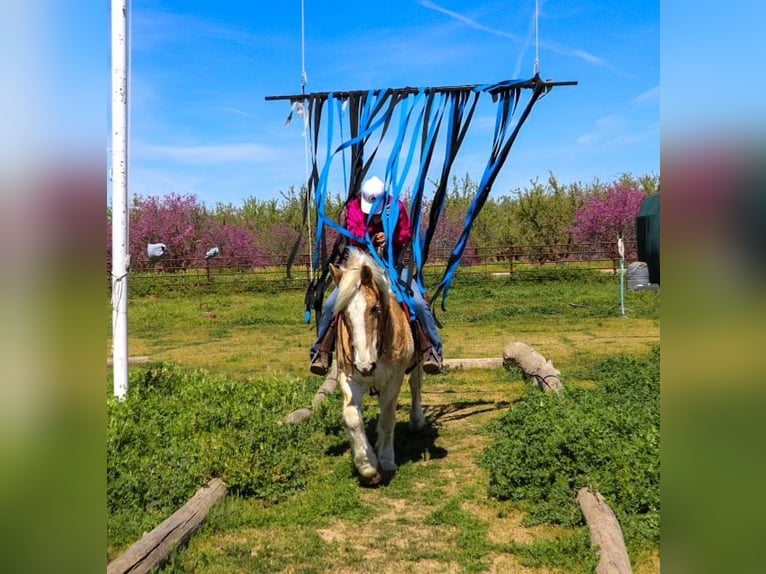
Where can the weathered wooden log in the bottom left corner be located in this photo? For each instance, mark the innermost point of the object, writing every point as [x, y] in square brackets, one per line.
[156, 546]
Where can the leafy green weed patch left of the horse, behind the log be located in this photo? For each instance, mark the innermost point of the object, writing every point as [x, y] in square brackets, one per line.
[176, 430]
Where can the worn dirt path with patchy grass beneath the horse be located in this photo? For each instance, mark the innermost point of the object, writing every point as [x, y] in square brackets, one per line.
[402, 533]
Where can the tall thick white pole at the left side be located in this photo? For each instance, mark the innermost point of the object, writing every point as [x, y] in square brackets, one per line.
[120, 256]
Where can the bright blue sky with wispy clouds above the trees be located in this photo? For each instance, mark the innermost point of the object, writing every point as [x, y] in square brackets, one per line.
[200, 73]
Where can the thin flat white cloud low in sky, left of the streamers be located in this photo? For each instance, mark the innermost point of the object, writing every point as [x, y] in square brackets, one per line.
[207, 154]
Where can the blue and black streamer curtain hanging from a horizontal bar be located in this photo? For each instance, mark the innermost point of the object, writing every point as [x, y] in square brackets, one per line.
[429, 128]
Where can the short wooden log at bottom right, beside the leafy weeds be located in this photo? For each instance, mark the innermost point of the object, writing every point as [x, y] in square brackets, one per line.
[605, 533]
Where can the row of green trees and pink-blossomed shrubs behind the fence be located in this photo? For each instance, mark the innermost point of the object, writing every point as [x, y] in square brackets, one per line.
[547, 221]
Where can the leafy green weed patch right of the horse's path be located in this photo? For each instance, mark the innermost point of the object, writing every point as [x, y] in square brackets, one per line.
[549, 446]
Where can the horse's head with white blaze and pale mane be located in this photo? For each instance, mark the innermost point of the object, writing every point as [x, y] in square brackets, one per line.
[362, 305]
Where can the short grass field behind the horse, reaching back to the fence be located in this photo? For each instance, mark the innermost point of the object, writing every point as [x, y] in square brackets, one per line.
[255, 334]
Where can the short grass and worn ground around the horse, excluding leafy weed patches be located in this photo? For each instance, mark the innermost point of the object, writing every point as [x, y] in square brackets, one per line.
[436, 515]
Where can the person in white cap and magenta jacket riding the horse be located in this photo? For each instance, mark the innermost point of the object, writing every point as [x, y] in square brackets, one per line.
[363, 215]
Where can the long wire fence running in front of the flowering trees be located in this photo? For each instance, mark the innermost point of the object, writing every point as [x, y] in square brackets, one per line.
[182, 276]
